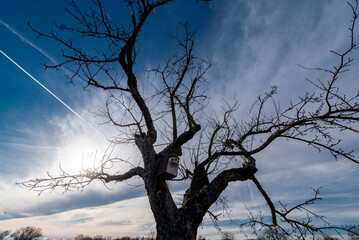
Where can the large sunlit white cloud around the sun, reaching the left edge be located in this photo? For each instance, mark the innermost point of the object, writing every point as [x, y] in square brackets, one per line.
[67, 141]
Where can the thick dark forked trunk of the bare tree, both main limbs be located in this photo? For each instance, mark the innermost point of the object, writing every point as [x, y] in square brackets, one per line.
[175, 223]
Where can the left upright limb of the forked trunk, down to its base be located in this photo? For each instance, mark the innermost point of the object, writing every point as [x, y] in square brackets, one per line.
[172, 223]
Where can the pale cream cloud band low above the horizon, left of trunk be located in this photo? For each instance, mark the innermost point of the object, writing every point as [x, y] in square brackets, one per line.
[117, 219]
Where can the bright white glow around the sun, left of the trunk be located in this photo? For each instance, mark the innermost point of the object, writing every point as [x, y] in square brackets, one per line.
[80, 148]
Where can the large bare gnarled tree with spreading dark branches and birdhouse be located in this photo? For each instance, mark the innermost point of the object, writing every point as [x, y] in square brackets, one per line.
[163, 119]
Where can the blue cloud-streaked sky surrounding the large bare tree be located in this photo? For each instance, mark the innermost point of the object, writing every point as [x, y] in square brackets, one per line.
[253, 45]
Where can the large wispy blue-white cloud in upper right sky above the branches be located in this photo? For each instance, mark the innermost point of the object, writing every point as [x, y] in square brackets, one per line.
[259, 44]
